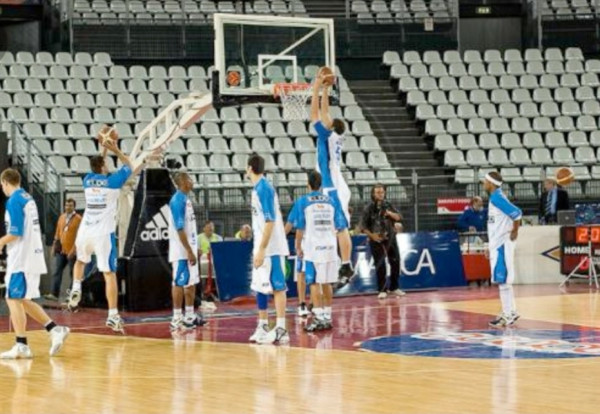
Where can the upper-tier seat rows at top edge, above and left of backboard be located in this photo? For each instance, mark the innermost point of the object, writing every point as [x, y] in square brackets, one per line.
[166, 12]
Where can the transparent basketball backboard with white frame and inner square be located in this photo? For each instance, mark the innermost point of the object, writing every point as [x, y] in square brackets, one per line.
[266, 50]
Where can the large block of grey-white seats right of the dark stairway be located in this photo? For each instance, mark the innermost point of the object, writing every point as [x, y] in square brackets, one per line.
[519, 113]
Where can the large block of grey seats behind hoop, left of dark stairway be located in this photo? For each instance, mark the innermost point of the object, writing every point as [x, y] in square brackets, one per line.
[61, 101]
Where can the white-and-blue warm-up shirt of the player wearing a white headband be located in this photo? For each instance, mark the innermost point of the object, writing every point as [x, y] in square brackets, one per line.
[501, 215]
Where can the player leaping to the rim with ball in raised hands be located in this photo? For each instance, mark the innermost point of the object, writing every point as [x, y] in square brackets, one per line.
[330, 136]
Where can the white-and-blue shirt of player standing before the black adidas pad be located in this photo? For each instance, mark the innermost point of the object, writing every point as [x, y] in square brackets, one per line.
[182, 217]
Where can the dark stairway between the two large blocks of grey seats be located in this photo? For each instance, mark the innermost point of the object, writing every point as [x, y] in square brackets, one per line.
[403, 143]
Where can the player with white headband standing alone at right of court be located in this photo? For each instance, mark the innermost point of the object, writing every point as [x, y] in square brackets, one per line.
[504, 219]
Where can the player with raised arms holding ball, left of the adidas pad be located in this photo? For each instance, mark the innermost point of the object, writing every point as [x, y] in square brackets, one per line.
[96, 233]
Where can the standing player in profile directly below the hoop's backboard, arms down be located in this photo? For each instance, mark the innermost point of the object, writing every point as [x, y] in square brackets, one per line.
[269, 254]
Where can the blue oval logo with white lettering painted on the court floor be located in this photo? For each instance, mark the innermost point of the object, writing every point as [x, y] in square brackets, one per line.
[491, 344]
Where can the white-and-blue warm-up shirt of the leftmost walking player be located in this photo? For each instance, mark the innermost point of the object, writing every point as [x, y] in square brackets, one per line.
[26, 254]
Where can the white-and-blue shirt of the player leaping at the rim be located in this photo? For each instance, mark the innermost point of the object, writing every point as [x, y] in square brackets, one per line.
[329, 158]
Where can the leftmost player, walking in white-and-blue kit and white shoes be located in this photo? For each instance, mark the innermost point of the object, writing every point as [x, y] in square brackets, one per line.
[24, 264]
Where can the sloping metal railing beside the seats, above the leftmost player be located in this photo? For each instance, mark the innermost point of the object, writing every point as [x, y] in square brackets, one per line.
[41, 179]
